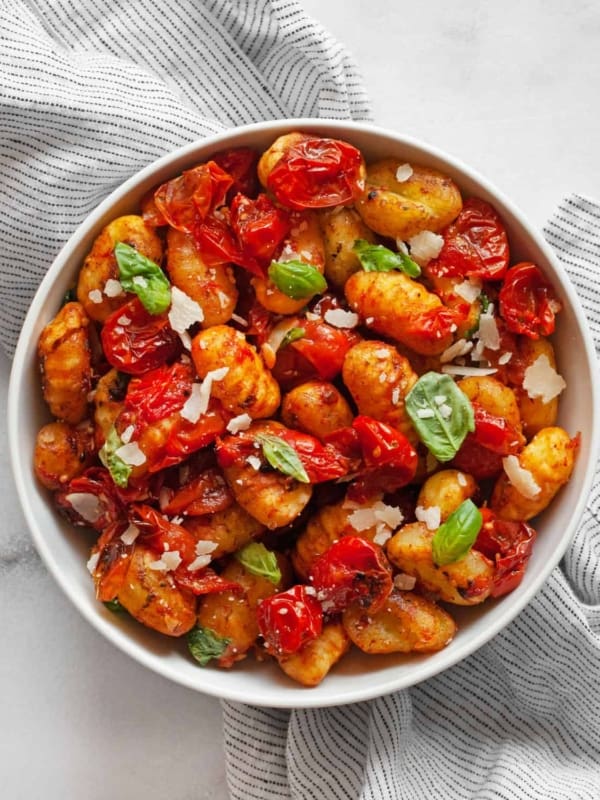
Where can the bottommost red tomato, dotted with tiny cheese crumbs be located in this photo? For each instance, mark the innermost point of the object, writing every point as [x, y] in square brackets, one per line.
[288, 620]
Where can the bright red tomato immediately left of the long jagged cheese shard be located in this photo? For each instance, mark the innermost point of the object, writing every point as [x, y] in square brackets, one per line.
[160, 392]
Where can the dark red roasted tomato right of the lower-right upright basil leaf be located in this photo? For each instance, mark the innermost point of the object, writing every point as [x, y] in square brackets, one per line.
[509, 545]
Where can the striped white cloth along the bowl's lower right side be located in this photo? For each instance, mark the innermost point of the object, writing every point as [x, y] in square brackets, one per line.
[517, 720]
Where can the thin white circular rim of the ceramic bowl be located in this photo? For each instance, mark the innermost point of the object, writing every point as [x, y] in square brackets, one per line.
[21, 468]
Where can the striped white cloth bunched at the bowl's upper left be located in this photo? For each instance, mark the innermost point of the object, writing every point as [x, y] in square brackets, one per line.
[93, 90]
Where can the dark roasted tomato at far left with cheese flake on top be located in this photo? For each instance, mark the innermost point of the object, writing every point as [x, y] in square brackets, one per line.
[96, 482]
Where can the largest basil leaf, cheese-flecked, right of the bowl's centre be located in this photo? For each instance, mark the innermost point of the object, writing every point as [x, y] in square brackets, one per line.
[442, 424]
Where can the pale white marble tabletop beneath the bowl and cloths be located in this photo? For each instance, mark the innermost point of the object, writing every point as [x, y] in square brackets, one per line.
[511, 88]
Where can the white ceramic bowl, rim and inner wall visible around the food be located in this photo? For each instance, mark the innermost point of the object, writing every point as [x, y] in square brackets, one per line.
[357, 677]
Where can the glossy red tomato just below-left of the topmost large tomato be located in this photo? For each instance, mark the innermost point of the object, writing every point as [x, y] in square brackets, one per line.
[259, 226]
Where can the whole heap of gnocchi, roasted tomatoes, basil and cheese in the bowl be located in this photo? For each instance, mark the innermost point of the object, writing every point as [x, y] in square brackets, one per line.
[306, 403]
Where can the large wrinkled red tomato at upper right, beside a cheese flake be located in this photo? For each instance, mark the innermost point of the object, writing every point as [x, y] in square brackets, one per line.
[475, 245]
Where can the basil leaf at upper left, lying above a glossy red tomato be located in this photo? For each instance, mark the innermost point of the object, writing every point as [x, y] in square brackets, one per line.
[140, 275]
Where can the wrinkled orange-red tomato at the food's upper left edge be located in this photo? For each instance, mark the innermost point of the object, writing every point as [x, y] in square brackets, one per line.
[187, 199]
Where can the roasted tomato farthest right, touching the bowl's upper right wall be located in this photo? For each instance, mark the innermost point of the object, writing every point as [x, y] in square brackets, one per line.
[528, 303]
